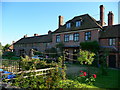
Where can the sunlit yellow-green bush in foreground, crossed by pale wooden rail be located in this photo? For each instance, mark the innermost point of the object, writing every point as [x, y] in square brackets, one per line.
[37, 82]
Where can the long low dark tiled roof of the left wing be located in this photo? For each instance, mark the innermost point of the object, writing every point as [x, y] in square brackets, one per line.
[35, 39]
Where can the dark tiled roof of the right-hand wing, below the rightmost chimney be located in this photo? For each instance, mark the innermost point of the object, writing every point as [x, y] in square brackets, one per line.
[110, 31]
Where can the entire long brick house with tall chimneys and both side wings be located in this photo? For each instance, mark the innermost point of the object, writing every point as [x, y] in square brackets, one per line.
[79, 29]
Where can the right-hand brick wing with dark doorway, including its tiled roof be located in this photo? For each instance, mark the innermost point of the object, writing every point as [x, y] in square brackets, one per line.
[110, 39]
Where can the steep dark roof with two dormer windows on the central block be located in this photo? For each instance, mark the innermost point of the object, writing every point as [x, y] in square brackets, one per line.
[87, 22]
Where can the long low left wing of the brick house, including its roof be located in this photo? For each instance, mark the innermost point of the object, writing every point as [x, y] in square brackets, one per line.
[36, 42]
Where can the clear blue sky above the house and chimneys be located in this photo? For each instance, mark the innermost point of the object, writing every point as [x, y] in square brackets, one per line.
[20, 18]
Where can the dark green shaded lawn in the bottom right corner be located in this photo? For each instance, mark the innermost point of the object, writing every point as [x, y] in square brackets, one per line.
[112, 80]
